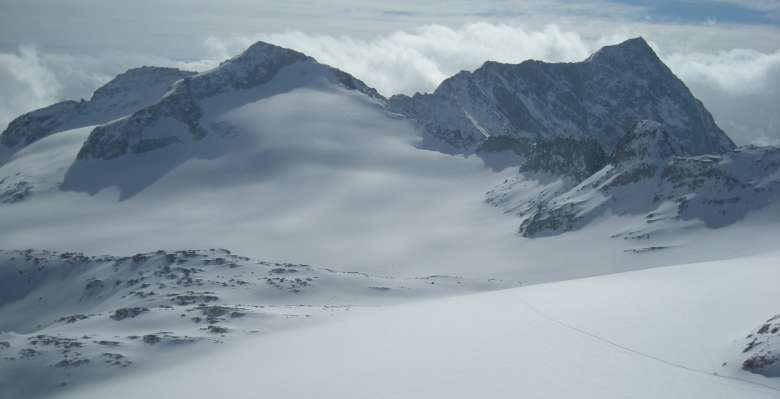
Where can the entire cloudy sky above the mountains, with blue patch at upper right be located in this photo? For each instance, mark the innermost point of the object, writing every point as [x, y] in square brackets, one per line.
[727, 52]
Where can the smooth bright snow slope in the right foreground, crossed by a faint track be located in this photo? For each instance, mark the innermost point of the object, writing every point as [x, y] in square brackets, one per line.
[670, 332]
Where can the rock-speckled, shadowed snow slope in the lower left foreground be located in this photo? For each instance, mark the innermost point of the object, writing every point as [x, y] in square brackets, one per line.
[67, 319]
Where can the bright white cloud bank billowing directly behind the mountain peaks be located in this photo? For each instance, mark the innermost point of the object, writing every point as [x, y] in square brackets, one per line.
[738, 85]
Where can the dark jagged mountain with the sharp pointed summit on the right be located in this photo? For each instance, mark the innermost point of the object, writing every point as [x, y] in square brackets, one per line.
[599, 98]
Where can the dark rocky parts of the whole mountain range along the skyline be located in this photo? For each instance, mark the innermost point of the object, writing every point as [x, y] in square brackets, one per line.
[605, 129]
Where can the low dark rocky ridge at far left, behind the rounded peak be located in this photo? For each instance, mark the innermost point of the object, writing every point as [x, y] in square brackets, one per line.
[128, 92]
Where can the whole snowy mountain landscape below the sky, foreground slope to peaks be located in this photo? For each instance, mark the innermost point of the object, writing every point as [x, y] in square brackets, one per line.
[275, 227]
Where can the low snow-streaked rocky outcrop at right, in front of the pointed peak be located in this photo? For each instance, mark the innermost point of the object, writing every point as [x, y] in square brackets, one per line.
[650, 173]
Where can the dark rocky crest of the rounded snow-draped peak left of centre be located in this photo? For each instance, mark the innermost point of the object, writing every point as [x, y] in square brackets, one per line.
[254, 68]
